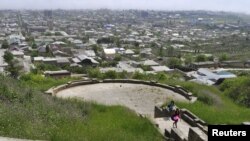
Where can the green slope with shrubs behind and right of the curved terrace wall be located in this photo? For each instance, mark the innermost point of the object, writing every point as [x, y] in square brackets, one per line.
[213, 105]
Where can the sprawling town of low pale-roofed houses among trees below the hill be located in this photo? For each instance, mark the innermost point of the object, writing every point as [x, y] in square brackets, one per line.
[66, 42]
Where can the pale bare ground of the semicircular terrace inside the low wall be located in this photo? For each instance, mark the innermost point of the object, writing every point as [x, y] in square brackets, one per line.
[138, 97]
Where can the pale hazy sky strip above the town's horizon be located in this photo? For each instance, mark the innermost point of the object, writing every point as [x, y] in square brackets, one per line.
[217, 5]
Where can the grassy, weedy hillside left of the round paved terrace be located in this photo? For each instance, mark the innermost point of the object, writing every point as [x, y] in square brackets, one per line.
[25, 112]
